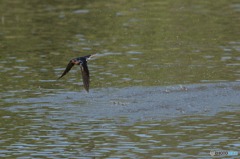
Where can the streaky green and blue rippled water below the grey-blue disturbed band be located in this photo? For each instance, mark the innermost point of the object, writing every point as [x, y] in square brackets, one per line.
[50, 131]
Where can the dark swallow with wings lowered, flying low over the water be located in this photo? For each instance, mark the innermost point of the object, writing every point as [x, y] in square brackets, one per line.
[82, 62]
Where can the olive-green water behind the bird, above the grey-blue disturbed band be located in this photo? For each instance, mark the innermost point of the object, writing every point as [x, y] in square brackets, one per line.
[158, 43]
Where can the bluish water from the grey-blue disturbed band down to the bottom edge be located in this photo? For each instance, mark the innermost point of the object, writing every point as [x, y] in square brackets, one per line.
[121, 123]
